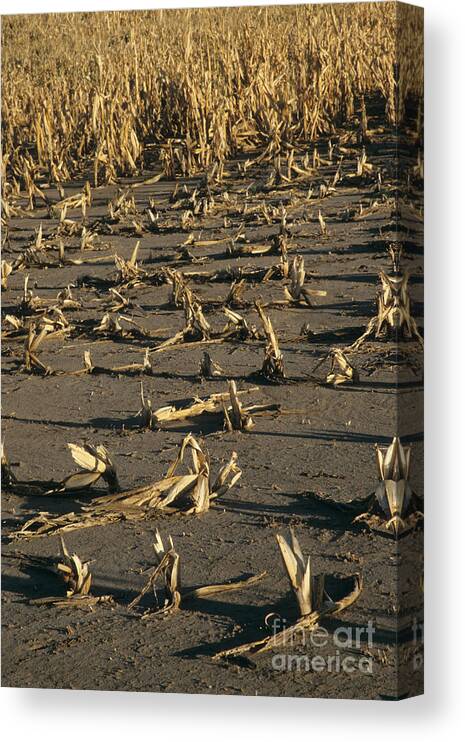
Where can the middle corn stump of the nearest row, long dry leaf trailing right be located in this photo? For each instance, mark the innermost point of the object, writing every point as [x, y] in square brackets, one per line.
[169, 568]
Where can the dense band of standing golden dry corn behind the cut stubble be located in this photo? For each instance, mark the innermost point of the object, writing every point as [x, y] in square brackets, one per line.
[114, 93]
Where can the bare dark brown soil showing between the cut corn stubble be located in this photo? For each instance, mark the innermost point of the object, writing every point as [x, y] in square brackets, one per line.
[322, 442]
